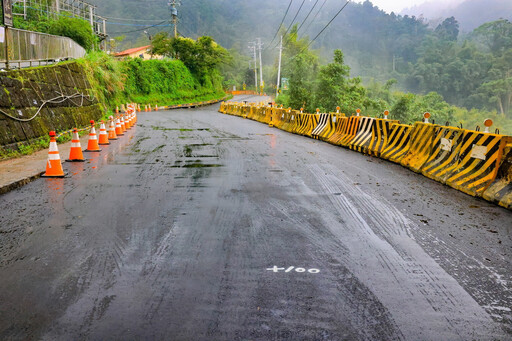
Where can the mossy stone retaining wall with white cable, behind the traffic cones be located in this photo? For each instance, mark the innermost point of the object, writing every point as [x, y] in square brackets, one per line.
[23, 91]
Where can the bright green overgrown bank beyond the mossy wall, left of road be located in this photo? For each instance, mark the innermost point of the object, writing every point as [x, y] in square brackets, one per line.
[161, 82]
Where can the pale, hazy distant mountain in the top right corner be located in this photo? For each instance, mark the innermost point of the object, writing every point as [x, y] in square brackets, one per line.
[469, 13]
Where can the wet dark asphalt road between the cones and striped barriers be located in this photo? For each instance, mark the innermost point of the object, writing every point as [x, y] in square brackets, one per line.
[203, 226]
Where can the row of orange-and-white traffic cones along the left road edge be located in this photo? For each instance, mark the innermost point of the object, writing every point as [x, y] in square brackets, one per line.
[117, 127]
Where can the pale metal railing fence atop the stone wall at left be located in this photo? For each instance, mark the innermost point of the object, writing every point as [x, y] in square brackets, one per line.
[20, 48]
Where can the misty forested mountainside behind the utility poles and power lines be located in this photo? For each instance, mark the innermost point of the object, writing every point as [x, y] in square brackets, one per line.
[471, 70]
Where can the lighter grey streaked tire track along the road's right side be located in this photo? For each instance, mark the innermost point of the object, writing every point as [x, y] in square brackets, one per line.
[453, 312]
